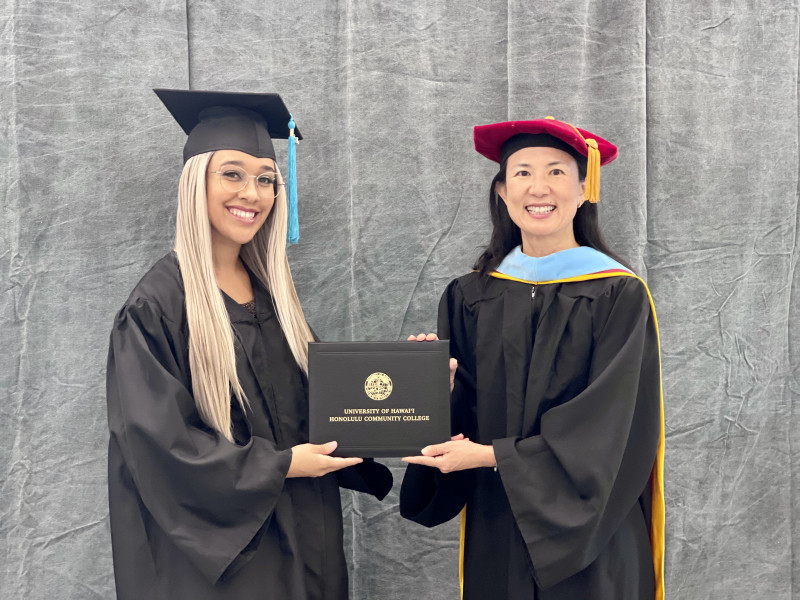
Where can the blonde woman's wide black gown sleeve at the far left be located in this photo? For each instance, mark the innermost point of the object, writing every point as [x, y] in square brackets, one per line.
[198, 486]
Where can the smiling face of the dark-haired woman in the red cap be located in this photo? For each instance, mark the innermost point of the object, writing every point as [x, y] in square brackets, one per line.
[542, 193]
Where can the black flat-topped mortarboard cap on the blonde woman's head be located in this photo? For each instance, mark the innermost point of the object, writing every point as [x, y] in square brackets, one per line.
[228, 121]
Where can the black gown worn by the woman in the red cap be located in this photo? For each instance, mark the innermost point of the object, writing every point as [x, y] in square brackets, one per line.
[565, 384]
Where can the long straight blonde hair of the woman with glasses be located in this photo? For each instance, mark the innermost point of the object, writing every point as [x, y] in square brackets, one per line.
[212, 358]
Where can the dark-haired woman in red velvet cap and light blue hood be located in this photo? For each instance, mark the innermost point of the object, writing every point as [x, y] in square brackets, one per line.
[556, 462]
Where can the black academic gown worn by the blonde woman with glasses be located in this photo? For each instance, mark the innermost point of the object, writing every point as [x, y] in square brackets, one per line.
[194, 516]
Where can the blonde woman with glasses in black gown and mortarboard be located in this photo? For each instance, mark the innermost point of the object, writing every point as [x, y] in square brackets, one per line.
[214, 491]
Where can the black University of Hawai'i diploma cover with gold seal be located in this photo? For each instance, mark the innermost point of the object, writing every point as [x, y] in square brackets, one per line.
[379, 398]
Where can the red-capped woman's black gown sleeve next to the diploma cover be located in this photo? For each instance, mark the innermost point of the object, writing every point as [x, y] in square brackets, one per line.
[428, 496]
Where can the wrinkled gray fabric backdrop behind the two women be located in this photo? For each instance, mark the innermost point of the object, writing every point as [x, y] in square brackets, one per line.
[702, 98]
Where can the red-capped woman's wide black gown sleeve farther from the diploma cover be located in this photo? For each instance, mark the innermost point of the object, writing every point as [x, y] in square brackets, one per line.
[571, 486]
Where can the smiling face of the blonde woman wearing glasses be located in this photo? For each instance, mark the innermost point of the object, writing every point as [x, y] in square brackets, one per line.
[235, 217]
